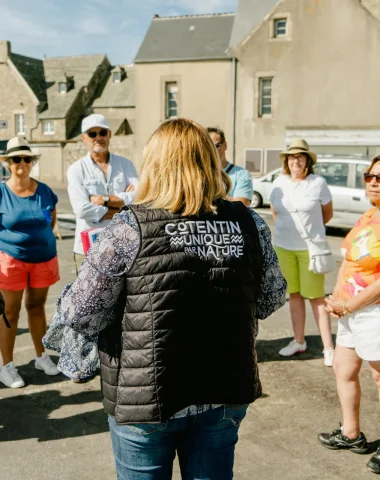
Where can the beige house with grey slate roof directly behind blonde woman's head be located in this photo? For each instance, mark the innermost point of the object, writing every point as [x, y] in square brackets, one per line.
[182, 70]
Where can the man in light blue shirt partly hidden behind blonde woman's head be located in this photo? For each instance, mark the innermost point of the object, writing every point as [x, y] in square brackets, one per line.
[242, 188]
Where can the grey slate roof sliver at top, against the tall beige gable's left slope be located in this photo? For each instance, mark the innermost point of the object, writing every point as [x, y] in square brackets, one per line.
[249, 15]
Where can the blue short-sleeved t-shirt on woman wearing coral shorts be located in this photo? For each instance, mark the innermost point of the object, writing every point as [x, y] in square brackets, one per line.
[25, 224]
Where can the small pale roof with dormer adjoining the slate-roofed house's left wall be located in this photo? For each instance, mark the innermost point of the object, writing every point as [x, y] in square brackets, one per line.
[113, 95]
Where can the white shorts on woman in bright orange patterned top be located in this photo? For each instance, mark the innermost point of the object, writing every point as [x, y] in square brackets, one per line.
[361, 331]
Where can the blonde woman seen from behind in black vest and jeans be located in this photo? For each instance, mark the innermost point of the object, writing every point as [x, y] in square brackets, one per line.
[175, 285]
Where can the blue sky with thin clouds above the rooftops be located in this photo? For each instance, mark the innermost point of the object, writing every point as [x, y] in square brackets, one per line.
[52, 28]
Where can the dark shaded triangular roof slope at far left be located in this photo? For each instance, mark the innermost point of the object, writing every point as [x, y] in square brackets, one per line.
[32, 71]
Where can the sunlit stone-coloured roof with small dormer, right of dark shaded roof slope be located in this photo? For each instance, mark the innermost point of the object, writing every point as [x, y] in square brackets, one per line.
[81, 68]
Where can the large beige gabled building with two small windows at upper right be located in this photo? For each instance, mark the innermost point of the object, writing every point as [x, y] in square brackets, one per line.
[308, 68]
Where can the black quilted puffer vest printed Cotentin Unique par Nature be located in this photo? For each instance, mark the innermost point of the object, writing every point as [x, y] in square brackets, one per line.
[187, 329]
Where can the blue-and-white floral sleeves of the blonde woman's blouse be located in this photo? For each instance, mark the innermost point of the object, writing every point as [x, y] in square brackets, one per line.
[86, 306]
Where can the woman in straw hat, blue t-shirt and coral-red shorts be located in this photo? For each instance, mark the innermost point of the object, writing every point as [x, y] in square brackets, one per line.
[28, 257]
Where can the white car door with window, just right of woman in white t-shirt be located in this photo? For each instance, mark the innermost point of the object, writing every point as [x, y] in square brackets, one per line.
[336, 175]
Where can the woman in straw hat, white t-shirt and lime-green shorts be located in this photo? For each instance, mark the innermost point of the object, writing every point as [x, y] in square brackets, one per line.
[300, 195]
